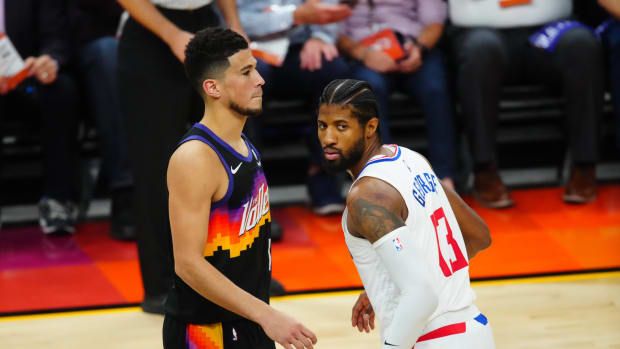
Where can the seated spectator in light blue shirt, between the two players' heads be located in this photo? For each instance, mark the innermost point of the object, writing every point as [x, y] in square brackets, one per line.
[311, 62]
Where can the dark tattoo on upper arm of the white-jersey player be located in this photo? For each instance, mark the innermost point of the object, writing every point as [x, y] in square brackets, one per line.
[372, 220]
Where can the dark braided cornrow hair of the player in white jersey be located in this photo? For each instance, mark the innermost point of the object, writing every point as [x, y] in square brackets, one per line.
[356, 93]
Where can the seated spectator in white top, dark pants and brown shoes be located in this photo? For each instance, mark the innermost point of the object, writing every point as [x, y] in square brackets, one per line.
[507, 42]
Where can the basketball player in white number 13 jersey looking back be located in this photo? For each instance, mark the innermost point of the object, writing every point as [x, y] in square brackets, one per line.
[409, 236]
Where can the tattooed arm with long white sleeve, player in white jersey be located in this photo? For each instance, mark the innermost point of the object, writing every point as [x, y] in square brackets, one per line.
[377, 212]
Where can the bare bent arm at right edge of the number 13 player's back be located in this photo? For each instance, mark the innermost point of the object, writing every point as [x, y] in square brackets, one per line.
[475, 231]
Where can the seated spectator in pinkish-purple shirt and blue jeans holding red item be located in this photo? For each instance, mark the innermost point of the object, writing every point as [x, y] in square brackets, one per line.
[420, 71]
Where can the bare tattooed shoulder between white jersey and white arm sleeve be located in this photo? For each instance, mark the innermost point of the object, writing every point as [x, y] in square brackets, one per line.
[375, 208]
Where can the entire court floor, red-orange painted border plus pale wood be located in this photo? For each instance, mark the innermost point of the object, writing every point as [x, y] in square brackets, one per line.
[41, 279]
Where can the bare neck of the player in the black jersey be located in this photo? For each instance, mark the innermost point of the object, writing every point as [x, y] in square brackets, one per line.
[224, 122]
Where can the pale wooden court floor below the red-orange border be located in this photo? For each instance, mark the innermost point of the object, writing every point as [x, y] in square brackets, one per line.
[576, 311]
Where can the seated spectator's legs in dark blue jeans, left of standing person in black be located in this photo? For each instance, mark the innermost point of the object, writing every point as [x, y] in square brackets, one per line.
[94, 24]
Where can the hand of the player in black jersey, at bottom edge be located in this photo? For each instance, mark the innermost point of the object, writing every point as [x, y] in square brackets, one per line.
[290, 333]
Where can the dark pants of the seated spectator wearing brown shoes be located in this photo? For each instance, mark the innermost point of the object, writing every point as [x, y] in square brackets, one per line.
[488, 58]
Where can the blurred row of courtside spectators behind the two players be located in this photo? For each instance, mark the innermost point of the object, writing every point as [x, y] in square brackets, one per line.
[106, 99]
